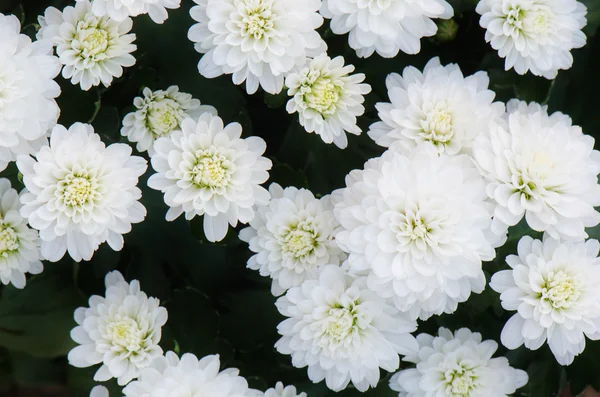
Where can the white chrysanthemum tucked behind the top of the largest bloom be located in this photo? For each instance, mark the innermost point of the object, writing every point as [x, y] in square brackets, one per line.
[440, 106]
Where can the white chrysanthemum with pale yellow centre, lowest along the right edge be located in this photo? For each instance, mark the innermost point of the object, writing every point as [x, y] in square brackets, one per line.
[553, 286]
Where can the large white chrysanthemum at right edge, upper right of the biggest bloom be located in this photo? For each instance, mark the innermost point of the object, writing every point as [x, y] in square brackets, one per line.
[541, 167]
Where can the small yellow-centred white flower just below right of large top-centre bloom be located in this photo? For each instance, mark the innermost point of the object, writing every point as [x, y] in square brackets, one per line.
[327, 98]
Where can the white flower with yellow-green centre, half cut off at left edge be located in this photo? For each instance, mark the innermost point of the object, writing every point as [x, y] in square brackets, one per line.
[19, 245]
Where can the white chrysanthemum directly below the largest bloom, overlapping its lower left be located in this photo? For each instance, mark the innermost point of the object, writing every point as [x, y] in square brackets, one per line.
[342, 331]
